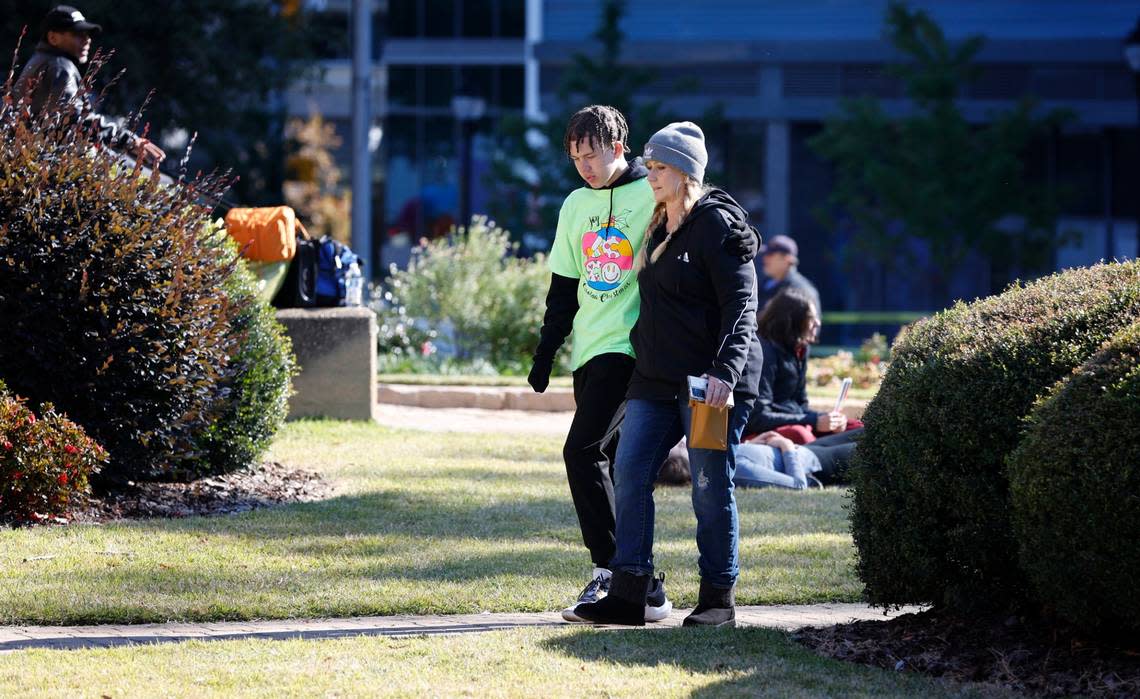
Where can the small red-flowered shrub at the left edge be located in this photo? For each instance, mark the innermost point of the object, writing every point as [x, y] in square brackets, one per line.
[45, 462]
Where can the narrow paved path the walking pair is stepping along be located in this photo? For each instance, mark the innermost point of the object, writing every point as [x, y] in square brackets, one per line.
[787, 617]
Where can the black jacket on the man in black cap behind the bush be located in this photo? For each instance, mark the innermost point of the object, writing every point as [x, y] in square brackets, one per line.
[52, 80]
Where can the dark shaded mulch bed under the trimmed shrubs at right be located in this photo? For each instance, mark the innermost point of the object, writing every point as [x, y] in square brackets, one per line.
[1014, 653]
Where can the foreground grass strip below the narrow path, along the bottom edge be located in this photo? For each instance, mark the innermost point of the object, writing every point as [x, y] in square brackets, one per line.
[524, 663]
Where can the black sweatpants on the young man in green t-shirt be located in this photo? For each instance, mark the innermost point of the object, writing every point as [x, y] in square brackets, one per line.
[600, 395]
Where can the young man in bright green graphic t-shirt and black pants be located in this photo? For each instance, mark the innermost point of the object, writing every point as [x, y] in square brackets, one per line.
[595, 294]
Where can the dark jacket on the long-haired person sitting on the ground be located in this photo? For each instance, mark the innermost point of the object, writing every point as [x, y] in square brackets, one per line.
[783, 395]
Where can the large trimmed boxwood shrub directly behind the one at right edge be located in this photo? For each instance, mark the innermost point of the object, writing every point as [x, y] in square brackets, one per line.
[931, 503]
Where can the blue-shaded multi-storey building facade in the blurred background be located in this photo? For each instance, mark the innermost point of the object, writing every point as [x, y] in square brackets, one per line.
[776, 72]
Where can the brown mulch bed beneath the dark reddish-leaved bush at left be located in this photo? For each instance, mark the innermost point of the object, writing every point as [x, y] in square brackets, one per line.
[264, 486]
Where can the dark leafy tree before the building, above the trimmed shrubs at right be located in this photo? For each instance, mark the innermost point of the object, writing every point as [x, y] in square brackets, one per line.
[932, 175]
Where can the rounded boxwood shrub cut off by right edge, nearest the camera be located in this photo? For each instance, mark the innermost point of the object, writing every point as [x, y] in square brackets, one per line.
[1074, 484]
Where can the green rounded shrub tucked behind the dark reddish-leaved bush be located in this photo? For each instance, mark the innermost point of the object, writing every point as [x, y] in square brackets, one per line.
[257, 379]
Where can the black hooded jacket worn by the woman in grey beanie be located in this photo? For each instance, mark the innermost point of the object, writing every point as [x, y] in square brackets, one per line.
[698, 305]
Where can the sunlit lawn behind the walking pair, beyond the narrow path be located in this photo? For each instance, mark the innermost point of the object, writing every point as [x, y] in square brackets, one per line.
[421, 524]
